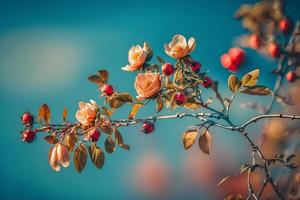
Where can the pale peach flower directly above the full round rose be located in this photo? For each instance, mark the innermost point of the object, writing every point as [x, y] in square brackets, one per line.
[136, 57]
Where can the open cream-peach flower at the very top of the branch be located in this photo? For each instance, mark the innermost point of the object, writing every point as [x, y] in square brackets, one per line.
[178, 47]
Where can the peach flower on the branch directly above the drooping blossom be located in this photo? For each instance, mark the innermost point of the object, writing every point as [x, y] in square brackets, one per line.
[87, 112]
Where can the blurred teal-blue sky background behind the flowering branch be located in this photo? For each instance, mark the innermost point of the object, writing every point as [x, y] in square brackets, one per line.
[47, 50]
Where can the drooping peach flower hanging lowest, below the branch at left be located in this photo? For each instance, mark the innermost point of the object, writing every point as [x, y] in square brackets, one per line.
[58, 155]
